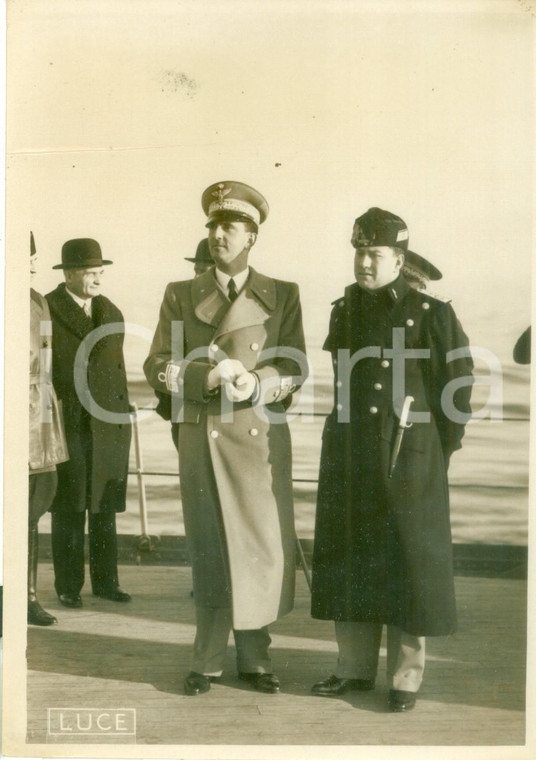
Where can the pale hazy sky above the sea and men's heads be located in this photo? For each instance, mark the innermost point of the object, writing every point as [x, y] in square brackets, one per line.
[121, 113]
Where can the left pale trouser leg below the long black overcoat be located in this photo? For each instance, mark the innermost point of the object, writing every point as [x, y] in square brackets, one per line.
[359, 648]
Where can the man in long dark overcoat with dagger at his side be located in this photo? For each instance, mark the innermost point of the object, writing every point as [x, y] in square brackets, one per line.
[383, 551]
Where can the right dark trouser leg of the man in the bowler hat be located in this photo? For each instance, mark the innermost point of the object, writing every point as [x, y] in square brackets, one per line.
[103, 552]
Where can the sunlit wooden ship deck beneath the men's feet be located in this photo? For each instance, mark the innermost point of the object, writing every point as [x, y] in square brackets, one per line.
[134, 656]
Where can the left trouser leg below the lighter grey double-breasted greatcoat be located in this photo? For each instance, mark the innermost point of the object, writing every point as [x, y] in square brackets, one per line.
[211, 638]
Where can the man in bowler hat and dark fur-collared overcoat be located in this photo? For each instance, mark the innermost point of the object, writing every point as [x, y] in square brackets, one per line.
[93, 390]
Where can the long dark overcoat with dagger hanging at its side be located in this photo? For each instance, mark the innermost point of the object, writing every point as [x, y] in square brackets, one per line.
[382, 550]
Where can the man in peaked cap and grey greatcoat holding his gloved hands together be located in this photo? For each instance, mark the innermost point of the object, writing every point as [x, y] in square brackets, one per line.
[229, 348]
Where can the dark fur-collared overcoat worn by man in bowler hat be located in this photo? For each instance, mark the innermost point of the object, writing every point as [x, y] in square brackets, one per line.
[95, 477]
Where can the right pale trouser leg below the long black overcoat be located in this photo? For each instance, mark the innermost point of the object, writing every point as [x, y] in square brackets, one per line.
[405, 659]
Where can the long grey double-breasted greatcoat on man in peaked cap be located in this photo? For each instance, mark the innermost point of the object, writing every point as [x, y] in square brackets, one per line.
[236, 475]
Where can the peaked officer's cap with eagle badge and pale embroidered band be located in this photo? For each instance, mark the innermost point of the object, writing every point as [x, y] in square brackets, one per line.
[234, 201]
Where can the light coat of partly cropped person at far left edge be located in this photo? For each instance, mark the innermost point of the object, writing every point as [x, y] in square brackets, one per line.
[48, 446]
